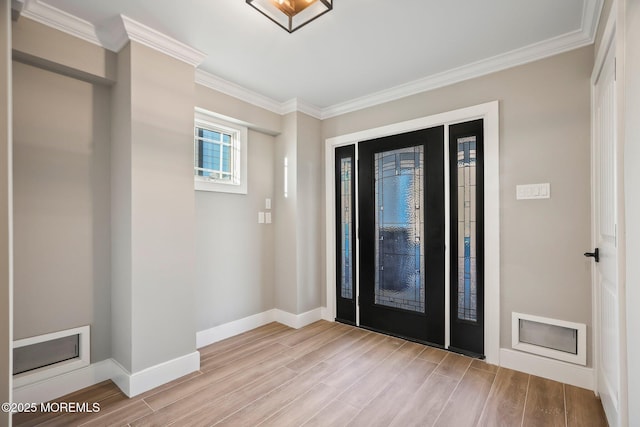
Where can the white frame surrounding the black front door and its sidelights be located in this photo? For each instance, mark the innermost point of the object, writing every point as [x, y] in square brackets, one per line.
[489, 112]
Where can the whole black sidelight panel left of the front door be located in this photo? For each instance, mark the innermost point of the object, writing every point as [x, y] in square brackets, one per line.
[345, 234]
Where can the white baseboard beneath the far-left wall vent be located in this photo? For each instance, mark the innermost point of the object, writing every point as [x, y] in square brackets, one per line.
[54, 387]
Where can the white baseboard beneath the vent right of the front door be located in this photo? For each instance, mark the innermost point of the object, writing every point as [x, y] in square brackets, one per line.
[556, 370]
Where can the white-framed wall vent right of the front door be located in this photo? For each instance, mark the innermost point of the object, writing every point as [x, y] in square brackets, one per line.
[556, 339]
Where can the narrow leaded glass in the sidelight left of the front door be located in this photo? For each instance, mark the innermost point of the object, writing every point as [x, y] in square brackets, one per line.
[346, 225]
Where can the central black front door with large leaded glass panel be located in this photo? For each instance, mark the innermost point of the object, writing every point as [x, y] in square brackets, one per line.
[402, 235]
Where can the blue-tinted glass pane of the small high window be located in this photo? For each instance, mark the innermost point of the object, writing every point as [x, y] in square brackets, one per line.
[214, 154]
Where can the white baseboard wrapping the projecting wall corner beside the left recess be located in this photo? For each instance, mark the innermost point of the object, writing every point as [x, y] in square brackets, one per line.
[162, 373]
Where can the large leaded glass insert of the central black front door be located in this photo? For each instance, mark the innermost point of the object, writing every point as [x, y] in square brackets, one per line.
[399, 228]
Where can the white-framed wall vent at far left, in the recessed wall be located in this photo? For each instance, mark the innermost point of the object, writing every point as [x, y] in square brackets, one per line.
[45, 356]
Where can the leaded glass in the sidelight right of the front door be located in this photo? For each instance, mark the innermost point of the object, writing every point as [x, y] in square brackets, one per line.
[467, 266]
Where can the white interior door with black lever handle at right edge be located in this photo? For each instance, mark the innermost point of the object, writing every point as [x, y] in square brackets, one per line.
[605, 239]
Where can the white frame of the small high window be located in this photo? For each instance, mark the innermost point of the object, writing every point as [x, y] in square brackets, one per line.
[239, 137]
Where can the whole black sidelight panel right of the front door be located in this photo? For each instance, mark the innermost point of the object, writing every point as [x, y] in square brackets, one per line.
[467, 237]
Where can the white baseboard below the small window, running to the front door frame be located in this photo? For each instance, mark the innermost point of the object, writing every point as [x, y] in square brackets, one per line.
[230, 329]
